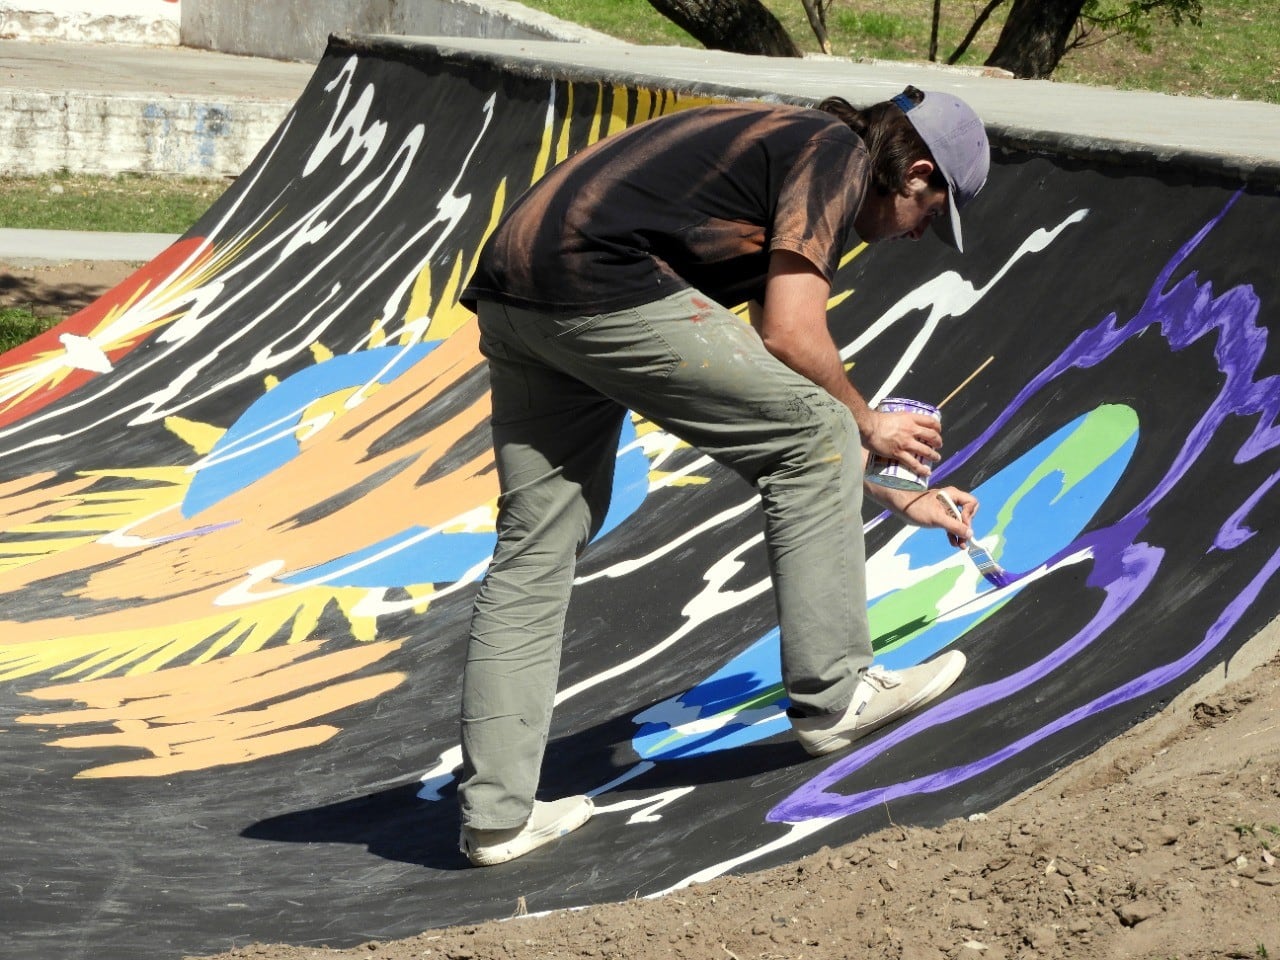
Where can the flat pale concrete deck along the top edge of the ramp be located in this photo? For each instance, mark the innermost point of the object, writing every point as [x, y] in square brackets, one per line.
[1204, 139]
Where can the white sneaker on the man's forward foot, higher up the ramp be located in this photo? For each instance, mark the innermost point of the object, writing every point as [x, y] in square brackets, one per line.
[881, 697]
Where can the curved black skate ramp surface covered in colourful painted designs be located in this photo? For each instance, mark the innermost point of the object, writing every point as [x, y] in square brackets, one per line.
[248, 496]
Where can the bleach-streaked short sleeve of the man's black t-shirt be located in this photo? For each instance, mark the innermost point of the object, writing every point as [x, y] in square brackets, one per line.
[820, 199]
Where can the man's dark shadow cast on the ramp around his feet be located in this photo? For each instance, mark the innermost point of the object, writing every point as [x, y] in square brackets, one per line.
[399, 825]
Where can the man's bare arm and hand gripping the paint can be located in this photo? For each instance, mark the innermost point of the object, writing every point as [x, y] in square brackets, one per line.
[793, 323]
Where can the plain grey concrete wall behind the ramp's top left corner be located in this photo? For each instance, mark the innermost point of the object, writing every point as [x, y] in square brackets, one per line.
[299, 30]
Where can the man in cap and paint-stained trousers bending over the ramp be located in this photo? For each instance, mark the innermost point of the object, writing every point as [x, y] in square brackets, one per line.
[605, 290]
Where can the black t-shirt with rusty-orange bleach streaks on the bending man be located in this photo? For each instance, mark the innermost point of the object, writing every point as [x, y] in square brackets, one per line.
[694, 199]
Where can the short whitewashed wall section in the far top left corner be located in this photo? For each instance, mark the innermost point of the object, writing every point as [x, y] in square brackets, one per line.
[92, 21]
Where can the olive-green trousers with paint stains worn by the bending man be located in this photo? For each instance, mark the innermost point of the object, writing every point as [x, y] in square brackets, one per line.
[561, 388]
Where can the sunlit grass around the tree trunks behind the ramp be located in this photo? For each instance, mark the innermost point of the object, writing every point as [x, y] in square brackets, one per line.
[1232, 56]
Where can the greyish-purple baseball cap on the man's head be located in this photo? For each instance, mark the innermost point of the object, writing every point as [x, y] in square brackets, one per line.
[958, 141]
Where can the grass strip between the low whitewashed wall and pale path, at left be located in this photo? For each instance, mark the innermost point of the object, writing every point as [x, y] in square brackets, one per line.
[125, 204]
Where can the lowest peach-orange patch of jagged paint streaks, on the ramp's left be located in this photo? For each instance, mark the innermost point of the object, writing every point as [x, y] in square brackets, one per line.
[235, 711]
